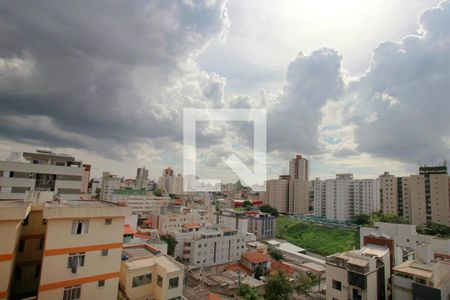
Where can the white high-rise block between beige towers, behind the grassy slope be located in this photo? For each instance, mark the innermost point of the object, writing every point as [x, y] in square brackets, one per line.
[344, 197]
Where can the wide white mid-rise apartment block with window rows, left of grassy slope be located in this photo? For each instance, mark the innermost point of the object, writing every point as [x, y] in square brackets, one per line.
[210, 245]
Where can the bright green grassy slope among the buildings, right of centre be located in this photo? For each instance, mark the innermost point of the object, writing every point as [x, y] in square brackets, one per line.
[317, 238]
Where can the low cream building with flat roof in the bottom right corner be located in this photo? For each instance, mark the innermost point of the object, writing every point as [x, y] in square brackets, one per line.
[415, 280]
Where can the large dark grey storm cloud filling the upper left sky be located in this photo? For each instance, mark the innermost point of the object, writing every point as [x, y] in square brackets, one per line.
[105, 70]
